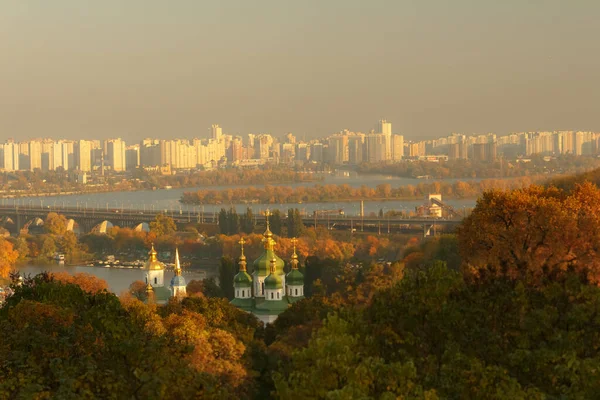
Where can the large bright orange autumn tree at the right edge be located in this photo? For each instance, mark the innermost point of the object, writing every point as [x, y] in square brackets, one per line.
[533, 234]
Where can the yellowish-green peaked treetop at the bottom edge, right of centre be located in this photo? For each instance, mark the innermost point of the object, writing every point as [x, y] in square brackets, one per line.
[336, 365]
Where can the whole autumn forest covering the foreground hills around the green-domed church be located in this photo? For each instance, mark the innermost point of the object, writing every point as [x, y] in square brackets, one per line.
[508, 307]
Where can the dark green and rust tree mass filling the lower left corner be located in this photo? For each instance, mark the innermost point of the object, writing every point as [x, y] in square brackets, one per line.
[59, 341]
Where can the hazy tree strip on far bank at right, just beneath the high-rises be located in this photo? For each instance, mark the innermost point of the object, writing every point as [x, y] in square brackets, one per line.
[536, 165]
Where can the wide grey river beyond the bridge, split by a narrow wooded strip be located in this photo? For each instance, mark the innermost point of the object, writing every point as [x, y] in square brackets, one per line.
[163, 200]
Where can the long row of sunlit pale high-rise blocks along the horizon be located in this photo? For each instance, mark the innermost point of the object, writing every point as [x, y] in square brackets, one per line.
[381, 145]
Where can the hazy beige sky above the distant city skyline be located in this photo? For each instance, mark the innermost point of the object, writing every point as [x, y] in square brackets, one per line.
[137, 68]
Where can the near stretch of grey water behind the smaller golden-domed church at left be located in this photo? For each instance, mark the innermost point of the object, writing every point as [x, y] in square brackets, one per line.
[118, 279]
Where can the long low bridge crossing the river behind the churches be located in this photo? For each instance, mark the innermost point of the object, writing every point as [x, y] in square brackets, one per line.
[19, 217]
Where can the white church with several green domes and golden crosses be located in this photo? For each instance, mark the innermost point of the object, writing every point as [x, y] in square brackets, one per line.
[268, 291]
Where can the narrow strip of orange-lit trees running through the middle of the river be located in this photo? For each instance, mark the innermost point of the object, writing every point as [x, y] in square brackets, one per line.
[325, 193]
